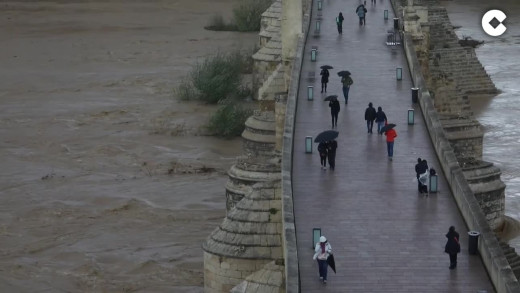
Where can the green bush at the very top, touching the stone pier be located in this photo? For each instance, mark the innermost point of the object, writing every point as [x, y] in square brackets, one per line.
[248, 15]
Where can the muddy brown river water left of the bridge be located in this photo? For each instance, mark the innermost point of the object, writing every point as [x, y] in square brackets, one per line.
[107, 183]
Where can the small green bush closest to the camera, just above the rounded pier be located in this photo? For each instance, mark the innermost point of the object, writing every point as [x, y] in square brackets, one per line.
[229, 120]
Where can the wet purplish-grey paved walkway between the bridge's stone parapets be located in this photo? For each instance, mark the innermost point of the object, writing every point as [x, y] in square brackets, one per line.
[385, 236]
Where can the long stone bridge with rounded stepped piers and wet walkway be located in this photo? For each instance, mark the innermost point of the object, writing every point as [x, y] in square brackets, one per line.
[385, 237]
